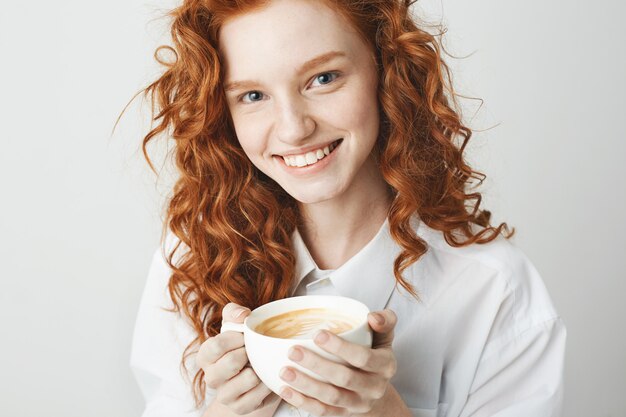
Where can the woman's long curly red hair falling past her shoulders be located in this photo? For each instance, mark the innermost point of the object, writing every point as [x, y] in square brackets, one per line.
[233, 224]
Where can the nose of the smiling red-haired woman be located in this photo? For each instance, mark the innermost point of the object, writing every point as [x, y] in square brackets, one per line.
[294, 122]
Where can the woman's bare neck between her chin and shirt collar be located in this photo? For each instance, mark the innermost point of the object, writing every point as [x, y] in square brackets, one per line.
[335, 230]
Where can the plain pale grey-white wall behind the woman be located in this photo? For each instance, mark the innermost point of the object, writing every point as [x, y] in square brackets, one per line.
[80, 212]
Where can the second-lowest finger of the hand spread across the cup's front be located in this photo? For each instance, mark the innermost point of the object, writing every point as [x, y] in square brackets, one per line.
[322, 391]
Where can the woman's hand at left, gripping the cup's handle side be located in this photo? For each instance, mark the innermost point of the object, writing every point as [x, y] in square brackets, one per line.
[223, 359]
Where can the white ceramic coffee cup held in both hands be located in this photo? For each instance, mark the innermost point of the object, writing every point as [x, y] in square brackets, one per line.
[268, 355]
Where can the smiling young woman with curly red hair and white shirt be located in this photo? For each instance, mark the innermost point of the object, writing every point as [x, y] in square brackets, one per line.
[319, 153]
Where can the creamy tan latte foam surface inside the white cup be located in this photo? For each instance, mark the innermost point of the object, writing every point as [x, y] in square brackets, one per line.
[303, 324]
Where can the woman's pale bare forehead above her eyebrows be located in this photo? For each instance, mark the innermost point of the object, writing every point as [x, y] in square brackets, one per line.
[285, 32]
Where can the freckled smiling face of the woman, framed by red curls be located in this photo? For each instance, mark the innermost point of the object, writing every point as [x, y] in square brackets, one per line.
[301, 87]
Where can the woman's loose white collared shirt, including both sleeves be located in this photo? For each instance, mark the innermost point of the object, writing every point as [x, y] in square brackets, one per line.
[483, 340]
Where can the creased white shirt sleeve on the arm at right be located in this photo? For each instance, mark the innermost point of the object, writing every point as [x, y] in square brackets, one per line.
[520, 372]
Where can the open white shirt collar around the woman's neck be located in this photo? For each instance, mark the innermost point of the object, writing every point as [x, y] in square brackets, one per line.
[367, 276]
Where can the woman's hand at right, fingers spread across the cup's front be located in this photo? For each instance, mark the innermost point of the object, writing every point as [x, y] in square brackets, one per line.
[361, 388]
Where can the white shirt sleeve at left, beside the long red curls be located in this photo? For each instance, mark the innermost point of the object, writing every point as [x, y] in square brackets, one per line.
[159, 340]
